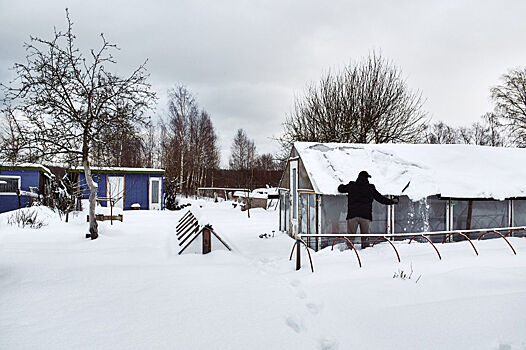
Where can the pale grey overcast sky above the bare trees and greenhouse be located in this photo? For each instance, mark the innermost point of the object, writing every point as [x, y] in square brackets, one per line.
[246, 60]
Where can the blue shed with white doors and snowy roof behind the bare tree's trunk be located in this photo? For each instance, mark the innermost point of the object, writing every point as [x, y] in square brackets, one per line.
[128, 187]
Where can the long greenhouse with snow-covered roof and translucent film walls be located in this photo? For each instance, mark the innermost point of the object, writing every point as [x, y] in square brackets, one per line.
[441, 188]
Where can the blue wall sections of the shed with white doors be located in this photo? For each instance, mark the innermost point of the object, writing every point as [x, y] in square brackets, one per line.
[136, 187]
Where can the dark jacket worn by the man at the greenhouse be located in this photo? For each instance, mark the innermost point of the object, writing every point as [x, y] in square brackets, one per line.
[360, 196]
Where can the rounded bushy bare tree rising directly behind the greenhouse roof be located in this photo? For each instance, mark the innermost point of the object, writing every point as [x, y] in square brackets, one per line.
[368, 102]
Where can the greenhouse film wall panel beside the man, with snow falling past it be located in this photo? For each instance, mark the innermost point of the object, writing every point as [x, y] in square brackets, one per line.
[426, 215]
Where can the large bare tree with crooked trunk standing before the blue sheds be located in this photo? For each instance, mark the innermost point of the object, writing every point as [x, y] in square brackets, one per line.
[66, 100]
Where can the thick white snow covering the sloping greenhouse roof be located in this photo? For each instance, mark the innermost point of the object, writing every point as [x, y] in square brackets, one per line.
[459, 171]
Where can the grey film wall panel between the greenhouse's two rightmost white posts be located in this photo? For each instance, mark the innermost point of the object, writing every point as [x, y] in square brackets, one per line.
[484, 214]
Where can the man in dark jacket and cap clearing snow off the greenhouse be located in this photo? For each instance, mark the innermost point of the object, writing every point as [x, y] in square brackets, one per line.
[360, 196]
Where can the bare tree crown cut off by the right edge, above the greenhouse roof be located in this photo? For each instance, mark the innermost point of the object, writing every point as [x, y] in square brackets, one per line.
[510, 99]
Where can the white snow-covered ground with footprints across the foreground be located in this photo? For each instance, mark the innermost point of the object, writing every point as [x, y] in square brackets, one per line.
[130, 289]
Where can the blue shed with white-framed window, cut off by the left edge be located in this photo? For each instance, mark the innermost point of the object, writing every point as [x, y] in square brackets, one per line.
[22, 184]
